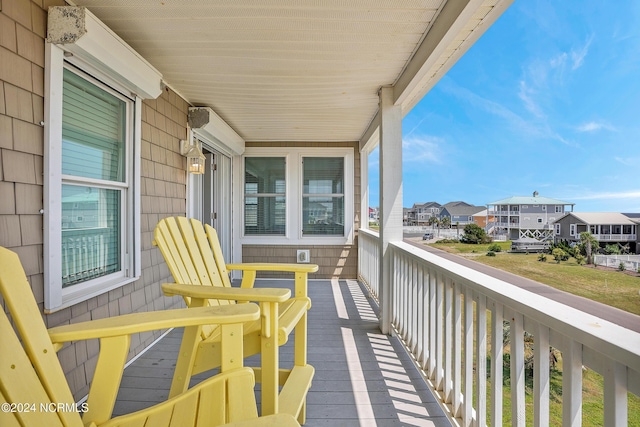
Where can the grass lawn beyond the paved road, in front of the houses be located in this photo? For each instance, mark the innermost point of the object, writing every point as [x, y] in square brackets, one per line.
[613, 288]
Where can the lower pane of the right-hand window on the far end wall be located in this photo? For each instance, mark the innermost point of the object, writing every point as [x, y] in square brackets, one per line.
[323, 215]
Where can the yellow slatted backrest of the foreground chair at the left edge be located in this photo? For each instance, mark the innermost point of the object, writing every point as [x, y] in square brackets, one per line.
[30, 371]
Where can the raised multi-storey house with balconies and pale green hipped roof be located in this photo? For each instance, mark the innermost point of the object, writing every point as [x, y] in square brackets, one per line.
[518, 217]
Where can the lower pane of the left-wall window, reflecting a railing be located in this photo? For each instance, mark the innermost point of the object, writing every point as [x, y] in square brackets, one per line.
[91, 227]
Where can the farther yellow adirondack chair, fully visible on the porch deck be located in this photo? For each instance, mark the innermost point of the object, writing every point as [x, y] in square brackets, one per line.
[194, 257]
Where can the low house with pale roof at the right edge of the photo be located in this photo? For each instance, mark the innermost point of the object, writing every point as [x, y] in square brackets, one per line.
[606, 227]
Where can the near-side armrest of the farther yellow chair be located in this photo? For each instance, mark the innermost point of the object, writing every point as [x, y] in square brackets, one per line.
[237, 294]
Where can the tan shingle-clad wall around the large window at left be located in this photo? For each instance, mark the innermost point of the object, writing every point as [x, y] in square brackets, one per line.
[163, 185]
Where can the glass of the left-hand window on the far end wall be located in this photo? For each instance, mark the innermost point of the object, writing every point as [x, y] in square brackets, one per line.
[265, 203]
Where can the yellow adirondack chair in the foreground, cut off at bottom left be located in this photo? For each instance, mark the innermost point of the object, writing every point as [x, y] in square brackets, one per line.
[34, 391]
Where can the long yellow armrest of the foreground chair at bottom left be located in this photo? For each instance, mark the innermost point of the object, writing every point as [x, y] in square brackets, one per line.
[149, 321]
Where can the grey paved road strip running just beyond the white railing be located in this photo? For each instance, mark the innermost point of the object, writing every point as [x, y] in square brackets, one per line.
[612, 314]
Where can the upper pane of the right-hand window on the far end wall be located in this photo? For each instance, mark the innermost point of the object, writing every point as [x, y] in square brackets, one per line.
[323, 175]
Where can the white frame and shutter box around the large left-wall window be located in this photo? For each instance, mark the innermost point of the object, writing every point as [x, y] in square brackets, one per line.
[104, 57]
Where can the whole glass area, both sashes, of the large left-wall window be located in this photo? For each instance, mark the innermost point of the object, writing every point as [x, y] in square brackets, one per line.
[94, 128]
